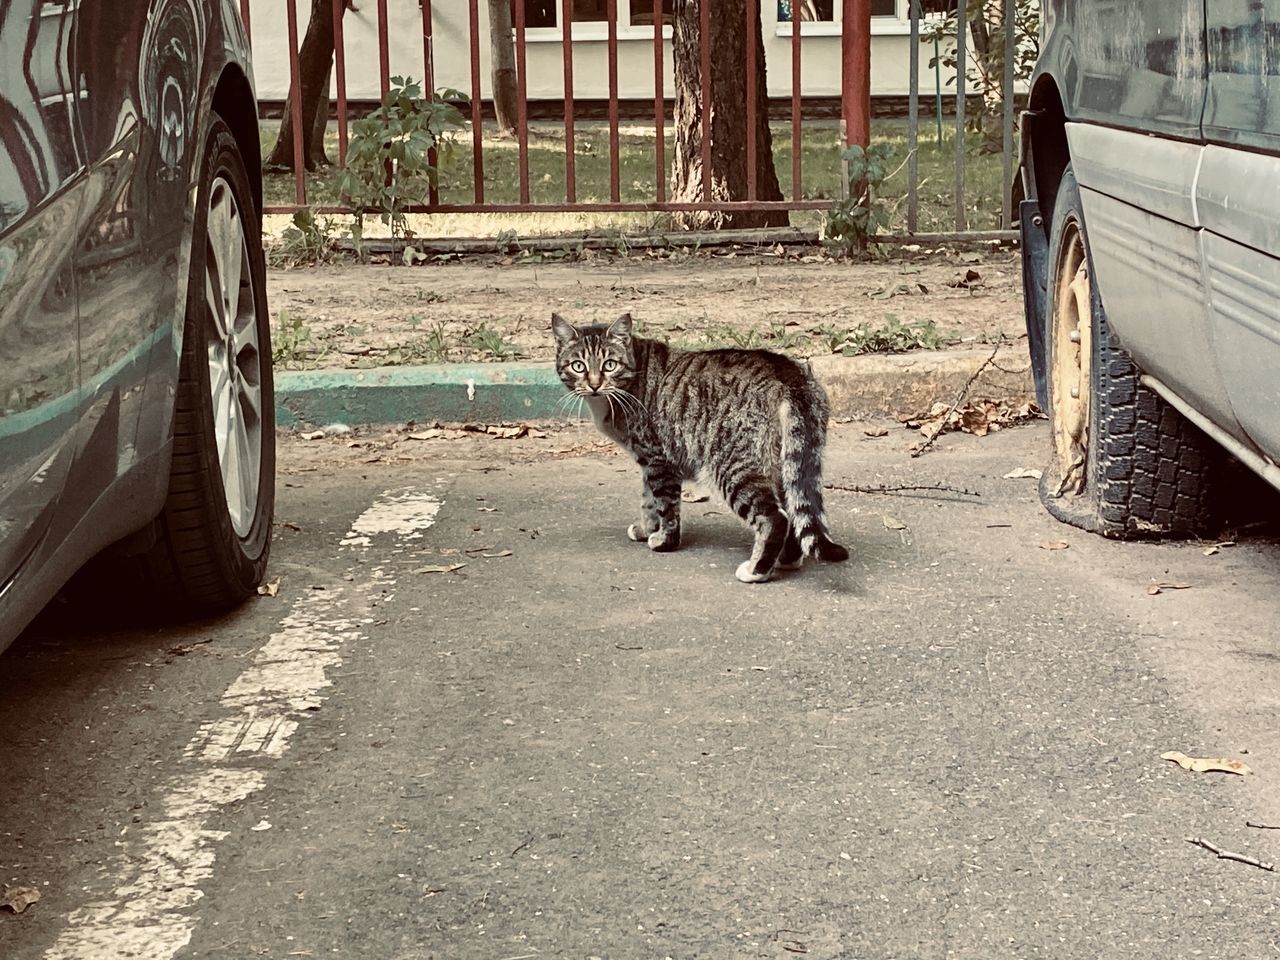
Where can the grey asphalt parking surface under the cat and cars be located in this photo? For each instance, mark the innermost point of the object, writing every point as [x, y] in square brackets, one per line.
[948, 748]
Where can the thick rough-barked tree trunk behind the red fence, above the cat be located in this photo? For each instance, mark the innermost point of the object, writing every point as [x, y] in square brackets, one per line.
[728, 120]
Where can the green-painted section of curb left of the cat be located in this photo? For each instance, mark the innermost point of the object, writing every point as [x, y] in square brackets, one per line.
[487, 394]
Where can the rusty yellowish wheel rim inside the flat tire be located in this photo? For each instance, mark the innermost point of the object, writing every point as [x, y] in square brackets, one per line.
[1073, 362]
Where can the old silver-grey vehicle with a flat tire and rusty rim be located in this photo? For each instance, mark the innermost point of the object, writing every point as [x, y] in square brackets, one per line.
[1151, 243]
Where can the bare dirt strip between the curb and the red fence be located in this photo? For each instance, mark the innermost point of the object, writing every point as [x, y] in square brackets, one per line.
[483, 309]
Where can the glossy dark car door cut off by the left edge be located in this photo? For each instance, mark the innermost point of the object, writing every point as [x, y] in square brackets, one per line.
[40, 202]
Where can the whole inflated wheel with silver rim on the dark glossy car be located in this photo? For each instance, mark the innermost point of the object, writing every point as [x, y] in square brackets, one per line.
[214, 536]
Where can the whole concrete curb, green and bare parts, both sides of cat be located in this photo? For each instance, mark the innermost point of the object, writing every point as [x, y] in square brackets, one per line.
[866, 387]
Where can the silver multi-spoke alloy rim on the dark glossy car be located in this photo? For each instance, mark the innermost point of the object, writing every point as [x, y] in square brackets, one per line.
[235, 358]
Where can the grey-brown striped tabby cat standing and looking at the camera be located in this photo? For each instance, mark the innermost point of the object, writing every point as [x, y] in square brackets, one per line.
[749, 423]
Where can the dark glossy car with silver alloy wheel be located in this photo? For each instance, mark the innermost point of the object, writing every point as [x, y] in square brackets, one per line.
[136, 408]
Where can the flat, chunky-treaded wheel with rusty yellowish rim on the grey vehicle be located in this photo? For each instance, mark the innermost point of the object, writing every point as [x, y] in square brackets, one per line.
[1126, 464]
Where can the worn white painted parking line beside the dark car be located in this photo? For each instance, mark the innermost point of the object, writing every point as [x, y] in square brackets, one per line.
[150, 890]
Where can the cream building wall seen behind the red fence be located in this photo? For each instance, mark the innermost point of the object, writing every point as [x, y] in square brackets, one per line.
[820, 57]
